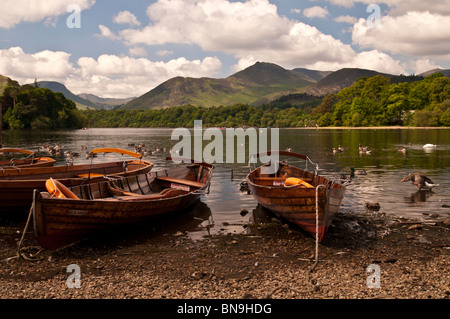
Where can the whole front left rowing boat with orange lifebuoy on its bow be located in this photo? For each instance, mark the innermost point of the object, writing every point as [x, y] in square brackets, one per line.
[116, 202]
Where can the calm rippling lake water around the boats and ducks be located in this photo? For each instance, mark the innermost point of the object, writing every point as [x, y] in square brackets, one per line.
[385, 167]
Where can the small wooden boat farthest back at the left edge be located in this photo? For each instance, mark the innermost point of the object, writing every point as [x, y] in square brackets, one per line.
[29, 161]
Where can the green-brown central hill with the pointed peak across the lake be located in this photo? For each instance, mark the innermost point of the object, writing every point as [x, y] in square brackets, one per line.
[260, 83]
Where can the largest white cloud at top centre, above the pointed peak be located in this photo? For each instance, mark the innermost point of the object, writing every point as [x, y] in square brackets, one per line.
[250, 31]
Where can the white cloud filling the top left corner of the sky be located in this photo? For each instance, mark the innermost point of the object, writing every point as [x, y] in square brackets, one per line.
[14, 12]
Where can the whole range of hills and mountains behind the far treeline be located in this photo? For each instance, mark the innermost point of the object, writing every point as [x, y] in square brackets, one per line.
[260, 83]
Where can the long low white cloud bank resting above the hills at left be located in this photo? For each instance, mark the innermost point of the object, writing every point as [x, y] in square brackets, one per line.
[106, 76]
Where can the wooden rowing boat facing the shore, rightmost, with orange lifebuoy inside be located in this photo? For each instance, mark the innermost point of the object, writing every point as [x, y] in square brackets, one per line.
[295, 194]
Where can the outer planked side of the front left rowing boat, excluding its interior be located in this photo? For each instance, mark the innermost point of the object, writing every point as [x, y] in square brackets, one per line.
[62, 222]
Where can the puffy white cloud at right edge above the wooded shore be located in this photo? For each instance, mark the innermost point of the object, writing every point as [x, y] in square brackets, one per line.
[419, 34]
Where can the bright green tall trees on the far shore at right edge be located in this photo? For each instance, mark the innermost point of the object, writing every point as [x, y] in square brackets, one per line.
[376, 101]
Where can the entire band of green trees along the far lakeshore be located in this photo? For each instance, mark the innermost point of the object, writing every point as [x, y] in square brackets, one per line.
[370, 101]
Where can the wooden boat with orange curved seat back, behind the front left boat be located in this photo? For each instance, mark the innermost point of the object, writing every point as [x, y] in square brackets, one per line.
[17, 185]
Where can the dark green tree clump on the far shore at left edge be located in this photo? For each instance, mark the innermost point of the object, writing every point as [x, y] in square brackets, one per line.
[29, 106]
